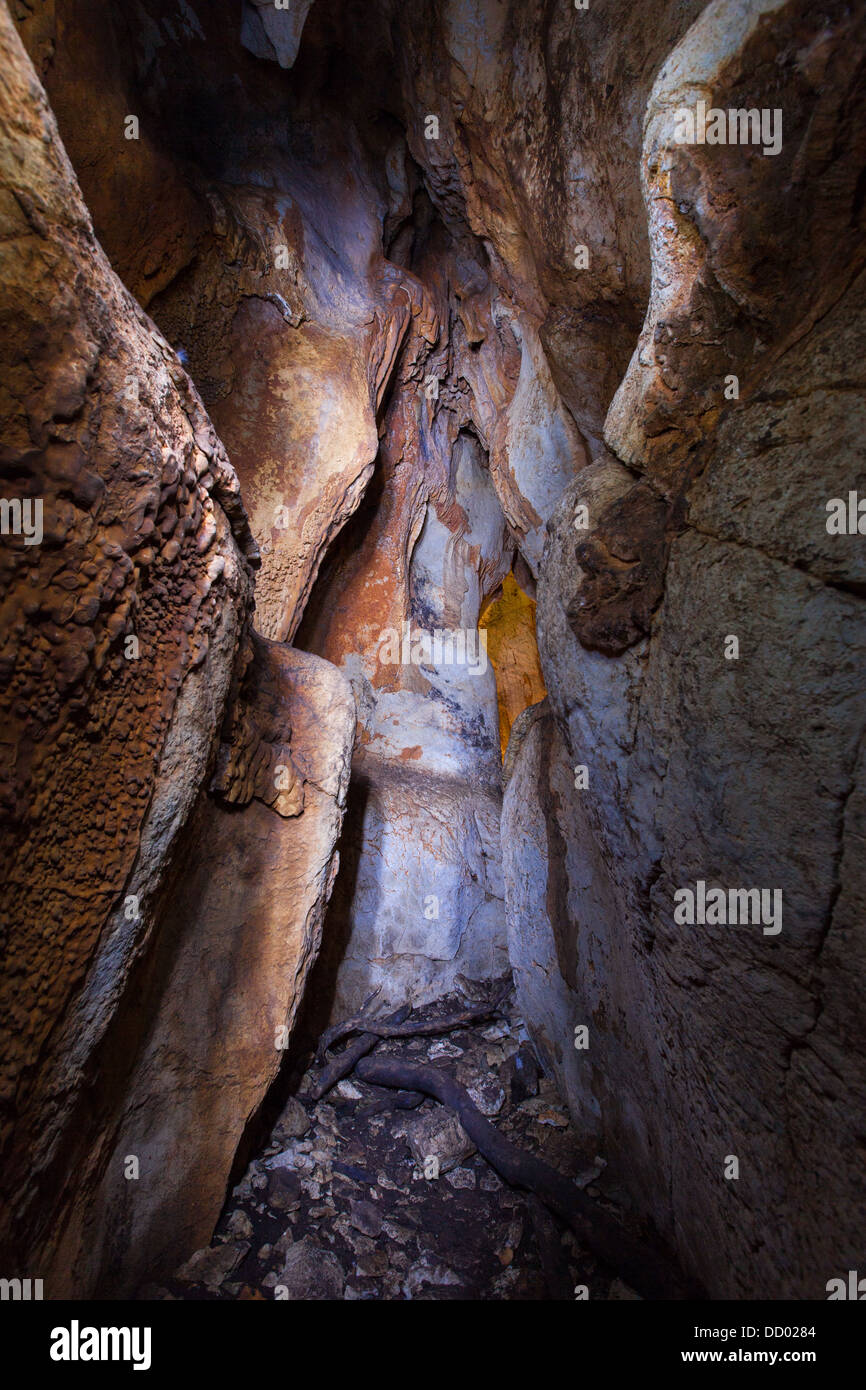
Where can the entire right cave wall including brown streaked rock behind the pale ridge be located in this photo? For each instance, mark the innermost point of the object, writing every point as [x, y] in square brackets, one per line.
[698, 515]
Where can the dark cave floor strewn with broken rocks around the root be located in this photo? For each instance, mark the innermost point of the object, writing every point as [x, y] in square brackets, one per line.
[338, 1207]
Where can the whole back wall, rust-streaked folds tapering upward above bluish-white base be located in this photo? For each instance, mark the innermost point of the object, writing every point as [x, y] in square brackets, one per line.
[477, 447]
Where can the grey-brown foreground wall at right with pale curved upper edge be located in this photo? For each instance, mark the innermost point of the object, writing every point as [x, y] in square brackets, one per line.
[712, 1040]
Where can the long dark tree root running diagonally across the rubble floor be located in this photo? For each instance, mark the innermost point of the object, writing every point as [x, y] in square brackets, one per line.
[639, 1266]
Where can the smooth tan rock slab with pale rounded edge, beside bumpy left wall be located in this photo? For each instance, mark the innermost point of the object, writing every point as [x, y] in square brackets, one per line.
[215, 1006]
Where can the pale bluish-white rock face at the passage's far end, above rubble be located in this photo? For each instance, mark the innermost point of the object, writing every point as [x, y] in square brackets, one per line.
[420, 899]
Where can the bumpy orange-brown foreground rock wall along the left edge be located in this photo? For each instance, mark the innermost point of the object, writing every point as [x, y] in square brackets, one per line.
[120, 632]
